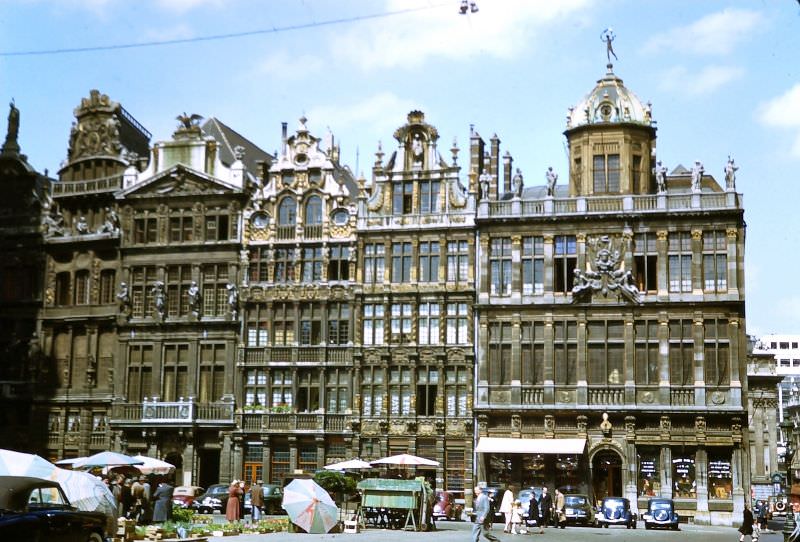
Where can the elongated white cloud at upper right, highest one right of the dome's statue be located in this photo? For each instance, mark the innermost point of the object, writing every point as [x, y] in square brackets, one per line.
[715, 34]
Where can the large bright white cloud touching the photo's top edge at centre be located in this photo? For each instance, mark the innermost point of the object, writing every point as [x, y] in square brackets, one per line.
[411, 39]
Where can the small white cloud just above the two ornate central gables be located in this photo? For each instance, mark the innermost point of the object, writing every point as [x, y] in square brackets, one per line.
[382, 113]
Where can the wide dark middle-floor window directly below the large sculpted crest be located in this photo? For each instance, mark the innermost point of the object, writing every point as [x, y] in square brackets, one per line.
[606, 349]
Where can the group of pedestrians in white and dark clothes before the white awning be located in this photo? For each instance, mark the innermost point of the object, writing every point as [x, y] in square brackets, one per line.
[542, 512]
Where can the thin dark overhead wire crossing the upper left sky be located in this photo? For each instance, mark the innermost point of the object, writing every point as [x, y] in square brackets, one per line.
[232, 35]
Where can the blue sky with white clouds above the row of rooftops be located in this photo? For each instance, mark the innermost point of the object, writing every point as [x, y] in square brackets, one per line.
[723, 78]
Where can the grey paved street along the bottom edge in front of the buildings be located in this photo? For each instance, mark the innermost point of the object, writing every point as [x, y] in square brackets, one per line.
[460, 532]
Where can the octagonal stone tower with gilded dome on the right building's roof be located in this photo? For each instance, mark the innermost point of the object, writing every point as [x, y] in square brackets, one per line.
[611, 137]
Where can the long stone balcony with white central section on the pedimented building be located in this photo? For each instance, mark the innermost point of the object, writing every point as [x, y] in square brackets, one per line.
[185, 412]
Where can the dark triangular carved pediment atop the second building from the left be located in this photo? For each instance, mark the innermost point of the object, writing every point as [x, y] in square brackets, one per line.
[178, 181]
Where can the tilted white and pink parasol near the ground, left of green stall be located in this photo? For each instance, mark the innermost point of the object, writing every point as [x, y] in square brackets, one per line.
[309, 506]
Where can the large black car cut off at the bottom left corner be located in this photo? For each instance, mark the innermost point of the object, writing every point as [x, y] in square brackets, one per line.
[36, 509]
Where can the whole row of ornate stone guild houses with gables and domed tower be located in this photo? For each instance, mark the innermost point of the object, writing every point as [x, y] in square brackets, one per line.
[244, 315]
